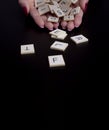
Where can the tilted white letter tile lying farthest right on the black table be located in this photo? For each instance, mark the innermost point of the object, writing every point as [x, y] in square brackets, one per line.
[79, 39]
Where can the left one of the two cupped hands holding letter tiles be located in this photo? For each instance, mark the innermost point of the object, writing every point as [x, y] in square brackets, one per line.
[41, 21]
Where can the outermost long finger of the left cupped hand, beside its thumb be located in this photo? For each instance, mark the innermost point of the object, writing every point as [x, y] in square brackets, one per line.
[36, 17]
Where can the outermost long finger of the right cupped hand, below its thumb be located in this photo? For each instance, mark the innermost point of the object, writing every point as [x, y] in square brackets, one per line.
[78, 19]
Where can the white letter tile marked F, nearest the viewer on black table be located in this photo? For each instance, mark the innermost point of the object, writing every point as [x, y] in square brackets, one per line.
[56, 61]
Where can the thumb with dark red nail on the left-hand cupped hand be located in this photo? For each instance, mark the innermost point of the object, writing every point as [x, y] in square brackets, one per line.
[25, 6]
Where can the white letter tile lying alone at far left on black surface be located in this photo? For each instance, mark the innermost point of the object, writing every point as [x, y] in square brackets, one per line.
[27, 49]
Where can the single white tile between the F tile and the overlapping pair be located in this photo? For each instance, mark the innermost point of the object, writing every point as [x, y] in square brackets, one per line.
[57, 45]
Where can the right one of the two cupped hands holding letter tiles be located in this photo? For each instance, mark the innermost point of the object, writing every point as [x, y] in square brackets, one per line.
[78, 18]
